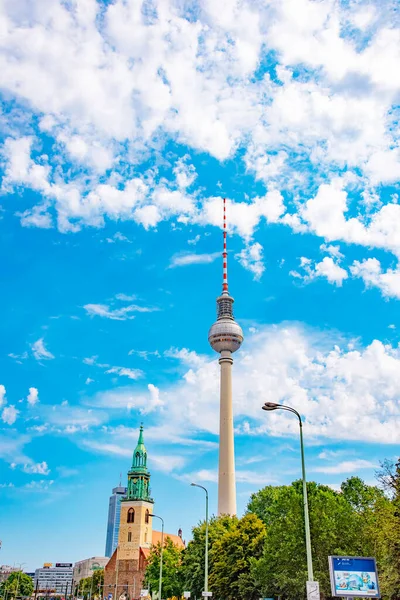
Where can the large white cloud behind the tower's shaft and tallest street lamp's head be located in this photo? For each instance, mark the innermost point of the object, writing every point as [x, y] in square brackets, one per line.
[342, 391]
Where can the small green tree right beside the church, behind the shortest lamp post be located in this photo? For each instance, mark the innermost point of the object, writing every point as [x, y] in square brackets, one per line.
[172, 579]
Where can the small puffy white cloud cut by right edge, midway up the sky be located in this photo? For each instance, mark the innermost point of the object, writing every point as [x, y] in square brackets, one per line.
[370, 271]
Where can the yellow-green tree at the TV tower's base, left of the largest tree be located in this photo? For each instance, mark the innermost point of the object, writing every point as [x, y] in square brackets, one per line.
[232, 555]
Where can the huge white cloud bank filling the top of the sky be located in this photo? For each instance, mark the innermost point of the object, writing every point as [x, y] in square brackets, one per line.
[136, 99]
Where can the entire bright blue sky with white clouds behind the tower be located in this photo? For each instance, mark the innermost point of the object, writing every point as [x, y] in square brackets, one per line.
[123, 124]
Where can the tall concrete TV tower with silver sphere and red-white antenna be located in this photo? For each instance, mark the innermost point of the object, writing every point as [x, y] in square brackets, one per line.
[225, 337]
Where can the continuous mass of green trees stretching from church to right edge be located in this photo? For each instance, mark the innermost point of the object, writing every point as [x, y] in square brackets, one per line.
[263, 554]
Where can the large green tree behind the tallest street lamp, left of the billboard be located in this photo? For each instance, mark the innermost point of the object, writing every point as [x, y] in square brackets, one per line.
[336, 528]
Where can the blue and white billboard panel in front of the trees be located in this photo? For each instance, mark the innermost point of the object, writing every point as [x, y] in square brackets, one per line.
[354, 576]
